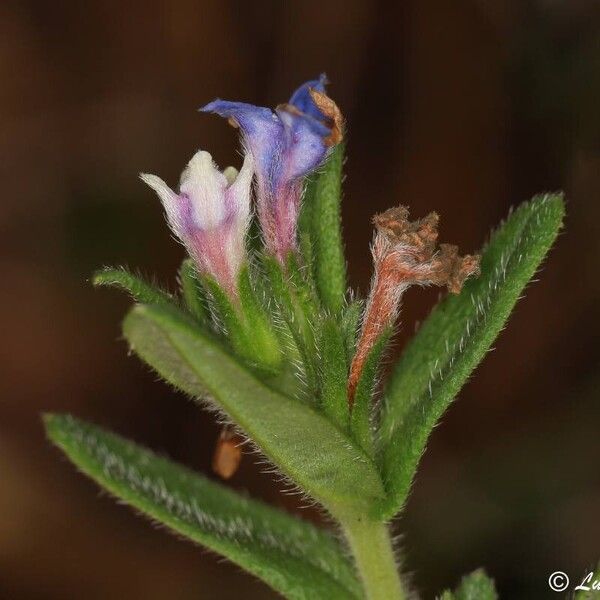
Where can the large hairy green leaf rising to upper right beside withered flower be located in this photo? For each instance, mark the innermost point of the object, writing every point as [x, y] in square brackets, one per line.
[455, 338]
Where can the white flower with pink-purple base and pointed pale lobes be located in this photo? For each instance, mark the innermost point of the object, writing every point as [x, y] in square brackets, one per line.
[210, 215]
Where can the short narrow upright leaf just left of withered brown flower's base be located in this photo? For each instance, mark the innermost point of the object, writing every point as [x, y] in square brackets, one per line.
[334, 374]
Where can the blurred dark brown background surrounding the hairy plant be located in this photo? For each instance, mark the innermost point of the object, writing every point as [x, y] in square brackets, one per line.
[465, 107]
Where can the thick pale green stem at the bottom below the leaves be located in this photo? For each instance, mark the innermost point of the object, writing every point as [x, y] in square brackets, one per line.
[371, 547]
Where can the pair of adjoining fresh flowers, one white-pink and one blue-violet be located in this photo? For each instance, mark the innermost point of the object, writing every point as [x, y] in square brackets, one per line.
[211, 212]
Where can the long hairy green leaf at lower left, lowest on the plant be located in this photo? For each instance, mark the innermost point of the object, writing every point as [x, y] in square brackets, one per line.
[292, 556]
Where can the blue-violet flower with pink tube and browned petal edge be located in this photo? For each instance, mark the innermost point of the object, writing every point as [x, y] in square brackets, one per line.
[286, 144]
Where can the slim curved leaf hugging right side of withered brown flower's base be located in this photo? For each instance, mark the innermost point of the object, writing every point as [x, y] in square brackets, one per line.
[362, 411]
